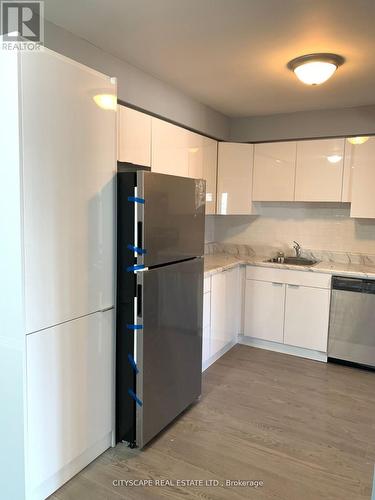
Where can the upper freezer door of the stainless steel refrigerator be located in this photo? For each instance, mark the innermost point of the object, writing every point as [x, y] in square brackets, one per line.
[172, 218]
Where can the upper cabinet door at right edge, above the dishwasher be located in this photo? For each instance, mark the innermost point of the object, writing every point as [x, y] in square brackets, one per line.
[362, 167]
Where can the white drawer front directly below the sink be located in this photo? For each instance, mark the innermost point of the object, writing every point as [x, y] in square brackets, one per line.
[288, 276]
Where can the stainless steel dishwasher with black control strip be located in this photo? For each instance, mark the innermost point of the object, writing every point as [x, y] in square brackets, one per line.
[352, 321]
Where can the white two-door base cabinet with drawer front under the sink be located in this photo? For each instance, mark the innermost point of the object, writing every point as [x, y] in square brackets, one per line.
[288, 307]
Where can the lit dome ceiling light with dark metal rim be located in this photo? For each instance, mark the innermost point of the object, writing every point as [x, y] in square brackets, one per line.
[314, 69]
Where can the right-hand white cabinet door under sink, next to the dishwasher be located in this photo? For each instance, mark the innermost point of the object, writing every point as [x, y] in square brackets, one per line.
[306, 317]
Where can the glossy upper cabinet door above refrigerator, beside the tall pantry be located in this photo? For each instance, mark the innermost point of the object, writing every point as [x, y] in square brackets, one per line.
[134, 136]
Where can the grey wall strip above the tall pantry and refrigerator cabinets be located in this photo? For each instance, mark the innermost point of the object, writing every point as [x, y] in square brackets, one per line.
[139, 88]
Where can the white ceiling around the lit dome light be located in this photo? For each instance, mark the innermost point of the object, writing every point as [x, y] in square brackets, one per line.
[232, 54]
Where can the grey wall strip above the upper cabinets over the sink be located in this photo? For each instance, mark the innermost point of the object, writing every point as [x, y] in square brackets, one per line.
[307, 124]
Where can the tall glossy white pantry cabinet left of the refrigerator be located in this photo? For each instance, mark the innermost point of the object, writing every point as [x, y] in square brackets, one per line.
[57, 268]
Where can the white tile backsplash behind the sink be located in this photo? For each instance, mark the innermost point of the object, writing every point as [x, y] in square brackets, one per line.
[319, 226]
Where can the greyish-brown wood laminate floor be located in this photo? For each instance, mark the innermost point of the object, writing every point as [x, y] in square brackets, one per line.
[306, 429]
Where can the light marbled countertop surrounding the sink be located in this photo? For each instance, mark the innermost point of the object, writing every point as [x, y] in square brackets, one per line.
[221, 261]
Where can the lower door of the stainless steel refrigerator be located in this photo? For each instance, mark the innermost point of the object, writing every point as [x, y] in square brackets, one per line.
[169, 349]
